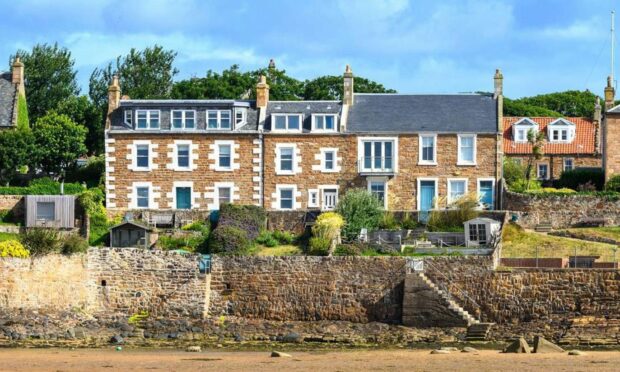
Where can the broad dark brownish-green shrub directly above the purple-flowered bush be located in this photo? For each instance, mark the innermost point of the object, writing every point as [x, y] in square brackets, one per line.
[249, 218]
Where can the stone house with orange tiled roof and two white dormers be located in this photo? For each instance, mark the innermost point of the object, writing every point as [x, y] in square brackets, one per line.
[572, 142]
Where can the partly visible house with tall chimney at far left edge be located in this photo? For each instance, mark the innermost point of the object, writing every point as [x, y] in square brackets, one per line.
[11, 89]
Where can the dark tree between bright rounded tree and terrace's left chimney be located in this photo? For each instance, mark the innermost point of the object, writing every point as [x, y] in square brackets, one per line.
[84, 112]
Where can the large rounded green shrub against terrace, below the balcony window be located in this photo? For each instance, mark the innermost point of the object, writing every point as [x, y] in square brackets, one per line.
[360, 209]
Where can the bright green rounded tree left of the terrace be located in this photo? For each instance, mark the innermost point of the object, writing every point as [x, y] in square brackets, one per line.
[59, 143]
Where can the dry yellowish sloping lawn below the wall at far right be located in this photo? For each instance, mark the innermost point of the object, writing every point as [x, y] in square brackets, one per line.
[517, 242]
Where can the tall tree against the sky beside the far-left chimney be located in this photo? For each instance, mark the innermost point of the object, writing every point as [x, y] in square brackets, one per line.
[50, 77]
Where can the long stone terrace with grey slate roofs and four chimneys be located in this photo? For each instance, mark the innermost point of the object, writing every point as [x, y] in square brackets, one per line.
[408, 150]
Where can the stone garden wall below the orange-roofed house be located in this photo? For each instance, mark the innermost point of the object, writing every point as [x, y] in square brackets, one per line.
[562, 211]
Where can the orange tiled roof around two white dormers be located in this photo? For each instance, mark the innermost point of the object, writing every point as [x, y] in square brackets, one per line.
[584, 142]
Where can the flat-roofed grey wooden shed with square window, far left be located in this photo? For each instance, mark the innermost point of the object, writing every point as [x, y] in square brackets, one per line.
[56, 211]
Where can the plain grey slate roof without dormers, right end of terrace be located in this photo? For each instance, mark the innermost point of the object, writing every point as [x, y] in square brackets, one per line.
[440, 113]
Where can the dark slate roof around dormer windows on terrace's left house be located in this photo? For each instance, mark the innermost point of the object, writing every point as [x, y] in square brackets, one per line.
[201, 106]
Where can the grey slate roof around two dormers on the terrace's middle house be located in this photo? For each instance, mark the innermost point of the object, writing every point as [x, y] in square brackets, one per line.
[307, 108]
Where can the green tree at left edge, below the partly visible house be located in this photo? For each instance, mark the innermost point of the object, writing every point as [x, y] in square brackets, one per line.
[16, 153]
